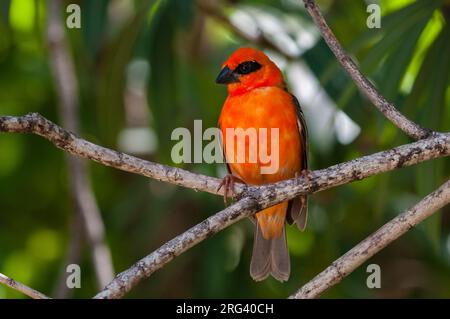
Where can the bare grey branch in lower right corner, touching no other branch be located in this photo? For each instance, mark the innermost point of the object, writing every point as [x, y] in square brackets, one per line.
[374, 243]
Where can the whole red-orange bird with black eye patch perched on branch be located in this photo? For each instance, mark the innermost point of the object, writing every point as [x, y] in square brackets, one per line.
[258, 98]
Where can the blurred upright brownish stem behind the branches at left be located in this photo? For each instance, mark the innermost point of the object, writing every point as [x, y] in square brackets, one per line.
[67, 88]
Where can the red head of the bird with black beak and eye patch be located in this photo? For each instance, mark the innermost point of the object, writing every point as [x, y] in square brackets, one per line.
[247, 69]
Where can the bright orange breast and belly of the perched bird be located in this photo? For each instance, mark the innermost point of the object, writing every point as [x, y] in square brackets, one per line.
[263, 122]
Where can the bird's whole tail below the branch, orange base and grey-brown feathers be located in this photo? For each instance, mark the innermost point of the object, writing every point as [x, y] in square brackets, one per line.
[270, 252]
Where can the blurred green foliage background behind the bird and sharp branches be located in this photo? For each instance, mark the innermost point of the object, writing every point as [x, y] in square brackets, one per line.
[143, 68]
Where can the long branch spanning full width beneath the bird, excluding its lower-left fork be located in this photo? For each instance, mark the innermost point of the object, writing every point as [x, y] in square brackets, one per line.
[438, 145]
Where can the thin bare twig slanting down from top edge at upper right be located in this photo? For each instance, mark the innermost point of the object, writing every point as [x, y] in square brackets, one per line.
[365, 86]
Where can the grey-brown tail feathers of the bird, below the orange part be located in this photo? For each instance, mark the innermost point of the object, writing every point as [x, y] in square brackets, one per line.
[270, 257]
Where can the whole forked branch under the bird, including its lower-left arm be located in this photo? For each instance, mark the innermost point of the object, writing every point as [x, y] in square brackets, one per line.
[251, 198]
